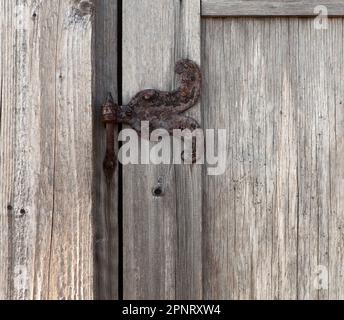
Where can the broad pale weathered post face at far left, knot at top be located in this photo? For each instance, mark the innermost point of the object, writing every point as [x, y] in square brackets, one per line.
[46, 150]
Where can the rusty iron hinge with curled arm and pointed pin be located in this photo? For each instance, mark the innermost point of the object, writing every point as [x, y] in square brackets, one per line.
[161, 108]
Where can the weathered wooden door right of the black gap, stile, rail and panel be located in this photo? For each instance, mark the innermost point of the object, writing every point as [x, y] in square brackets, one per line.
[271, 226]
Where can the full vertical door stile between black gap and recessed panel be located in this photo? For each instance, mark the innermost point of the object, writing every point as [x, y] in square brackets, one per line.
[162, 235]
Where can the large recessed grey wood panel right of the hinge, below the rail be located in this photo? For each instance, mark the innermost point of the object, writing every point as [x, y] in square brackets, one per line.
[273, 223]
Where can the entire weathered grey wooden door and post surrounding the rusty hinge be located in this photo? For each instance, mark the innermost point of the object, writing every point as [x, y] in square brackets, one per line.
[269, 227]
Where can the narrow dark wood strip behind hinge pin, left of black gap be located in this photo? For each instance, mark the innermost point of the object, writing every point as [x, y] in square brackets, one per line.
[106, 196]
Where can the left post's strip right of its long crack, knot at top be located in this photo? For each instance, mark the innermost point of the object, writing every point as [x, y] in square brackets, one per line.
[71, 260]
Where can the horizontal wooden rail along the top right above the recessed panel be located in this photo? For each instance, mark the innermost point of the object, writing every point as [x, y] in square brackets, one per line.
[270, 7]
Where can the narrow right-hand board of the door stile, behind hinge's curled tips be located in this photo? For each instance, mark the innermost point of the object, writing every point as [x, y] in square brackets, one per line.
[188, 192]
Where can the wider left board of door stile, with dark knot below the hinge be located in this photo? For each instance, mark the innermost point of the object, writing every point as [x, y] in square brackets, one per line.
[148, 223]
